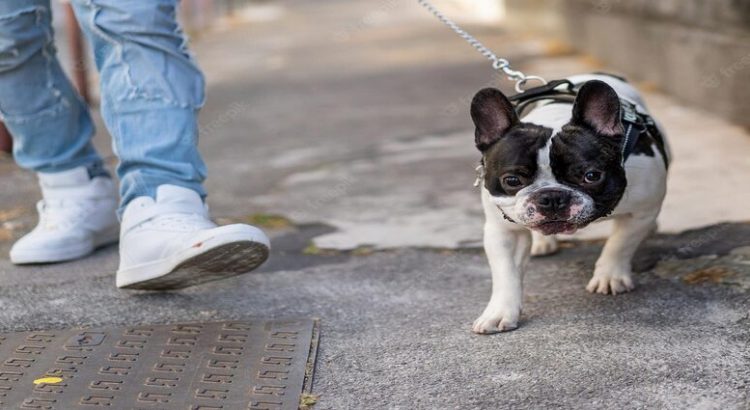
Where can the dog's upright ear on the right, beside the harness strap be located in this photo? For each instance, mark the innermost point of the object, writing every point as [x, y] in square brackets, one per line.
[598, 106]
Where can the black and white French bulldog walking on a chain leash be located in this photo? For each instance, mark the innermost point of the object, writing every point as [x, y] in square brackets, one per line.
[556, 170]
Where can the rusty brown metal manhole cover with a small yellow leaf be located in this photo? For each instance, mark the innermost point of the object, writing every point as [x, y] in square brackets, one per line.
[218, 365]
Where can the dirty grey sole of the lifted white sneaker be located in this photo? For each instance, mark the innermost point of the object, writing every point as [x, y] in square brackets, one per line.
[222, 262]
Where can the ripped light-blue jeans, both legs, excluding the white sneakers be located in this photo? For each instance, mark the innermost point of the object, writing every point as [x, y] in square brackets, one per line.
[151, 91]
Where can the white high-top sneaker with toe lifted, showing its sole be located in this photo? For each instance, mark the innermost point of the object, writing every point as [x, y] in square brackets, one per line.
[169, 243]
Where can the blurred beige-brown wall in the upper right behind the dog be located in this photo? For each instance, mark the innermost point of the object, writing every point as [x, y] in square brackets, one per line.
[696, 50]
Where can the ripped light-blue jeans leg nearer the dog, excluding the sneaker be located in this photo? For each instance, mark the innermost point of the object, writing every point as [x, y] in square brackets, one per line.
[151, 93]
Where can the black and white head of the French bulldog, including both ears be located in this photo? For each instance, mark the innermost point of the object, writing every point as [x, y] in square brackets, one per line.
[551, 179]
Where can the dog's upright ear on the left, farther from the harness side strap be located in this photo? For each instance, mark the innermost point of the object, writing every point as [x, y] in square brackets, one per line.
[493, 115]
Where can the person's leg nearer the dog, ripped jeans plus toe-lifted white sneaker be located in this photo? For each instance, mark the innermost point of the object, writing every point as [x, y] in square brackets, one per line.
[151, 94]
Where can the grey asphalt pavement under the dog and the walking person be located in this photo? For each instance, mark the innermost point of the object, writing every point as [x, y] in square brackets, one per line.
[342, 128]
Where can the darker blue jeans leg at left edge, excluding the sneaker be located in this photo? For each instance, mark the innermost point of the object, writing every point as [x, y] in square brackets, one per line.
[50, 125]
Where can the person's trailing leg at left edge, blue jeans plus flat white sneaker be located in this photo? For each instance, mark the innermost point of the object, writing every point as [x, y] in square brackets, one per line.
[52, 131]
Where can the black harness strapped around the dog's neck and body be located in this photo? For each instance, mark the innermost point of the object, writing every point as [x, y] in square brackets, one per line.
[636, 123]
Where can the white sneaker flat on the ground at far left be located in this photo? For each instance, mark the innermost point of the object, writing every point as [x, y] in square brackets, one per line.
[76, 215]
